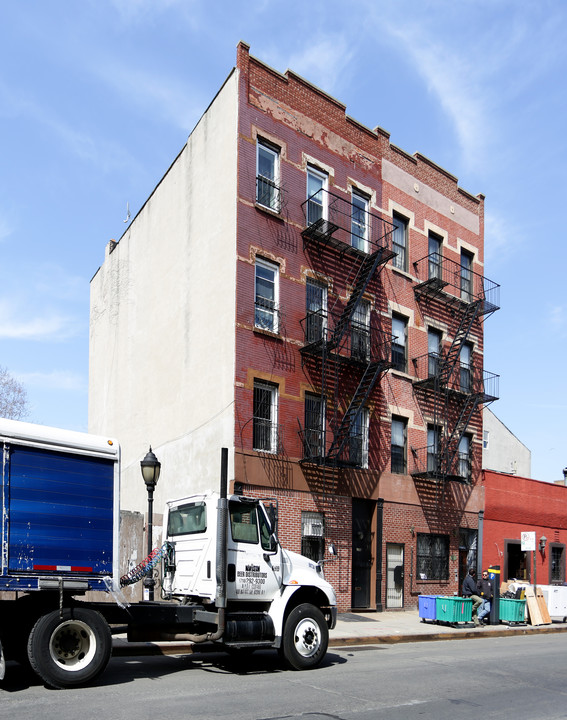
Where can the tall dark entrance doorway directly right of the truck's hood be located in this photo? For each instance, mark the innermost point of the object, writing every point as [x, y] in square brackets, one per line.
[362, 543]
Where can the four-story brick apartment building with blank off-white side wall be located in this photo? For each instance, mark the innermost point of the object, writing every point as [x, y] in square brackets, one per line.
[312, 297]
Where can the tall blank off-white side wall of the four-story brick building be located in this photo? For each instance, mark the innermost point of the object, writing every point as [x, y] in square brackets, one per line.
[162, 352]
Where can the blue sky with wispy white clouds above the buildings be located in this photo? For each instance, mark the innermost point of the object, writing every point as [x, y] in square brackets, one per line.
[97, 97]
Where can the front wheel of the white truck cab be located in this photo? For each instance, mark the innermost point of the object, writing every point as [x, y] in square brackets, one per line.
[305, 637]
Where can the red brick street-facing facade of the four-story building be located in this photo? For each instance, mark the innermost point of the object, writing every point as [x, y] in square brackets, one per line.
[307, 127]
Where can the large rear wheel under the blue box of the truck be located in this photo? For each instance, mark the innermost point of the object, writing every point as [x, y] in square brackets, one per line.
[69, 648]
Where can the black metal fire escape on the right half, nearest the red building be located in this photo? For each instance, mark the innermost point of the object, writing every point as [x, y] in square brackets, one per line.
[451, 391]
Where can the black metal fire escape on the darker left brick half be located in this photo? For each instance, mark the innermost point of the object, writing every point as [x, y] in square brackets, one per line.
[362, 349]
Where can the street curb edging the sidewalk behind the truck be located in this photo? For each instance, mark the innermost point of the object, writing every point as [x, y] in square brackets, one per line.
[121, 648]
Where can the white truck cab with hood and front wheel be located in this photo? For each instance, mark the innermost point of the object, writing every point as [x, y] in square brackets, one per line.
[263, 580]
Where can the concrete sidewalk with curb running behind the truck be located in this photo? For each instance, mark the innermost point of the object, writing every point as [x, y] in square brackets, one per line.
[371, 628]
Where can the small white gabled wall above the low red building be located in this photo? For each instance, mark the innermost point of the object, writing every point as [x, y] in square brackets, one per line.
[502, 451]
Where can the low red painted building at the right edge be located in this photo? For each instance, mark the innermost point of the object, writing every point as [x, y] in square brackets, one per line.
[513, 505]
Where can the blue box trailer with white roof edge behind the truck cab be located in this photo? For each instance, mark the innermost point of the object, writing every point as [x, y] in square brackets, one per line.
[59, 499]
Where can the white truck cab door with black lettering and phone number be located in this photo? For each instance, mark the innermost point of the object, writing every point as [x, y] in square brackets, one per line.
[254, 556]
